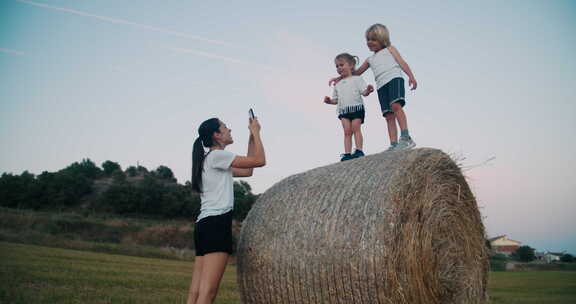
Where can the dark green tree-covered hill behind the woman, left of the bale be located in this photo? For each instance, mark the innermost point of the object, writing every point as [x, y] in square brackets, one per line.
[136, 191]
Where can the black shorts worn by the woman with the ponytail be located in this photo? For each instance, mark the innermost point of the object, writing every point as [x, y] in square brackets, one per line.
[213, 234]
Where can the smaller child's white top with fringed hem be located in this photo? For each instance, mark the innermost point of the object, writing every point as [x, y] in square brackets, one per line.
[348, 93]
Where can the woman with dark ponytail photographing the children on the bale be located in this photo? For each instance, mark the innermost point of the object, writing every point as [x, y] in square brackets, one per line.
[212, 177]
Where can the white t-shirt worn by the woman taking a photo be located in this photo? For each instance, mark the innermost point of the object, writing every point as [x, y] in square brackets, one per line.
[217, 195]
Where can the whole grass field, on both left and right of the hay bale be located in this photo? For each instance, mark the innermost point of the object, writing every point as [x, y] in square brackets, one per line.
[34, 274]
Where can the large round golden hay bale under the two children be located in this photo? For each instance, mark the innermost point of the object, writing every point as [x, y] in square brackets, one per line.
[399, 227]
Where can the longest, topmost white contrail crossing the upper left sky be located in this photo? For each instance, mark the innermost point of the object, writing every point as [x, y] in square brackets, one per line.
[120, 21]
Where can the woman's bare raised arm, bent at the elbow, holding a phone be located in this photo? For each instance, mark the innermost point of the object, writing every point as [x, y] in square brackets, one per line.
[242, 166]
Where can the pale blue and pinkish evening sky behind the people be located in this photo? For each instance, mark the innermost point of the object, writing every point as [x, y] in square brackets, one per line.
[130, 81]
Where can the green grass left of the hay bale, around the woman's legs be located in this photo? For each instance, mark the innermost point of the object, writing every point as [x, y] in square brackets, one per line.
[34, 274]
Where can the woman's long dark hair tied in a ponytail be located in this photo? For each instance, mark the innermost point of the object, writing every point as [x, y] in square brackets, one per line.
[205, 132]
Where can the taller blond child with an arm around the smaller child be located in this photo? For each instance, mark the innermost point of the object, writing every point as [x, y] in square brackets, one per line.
[387, 65]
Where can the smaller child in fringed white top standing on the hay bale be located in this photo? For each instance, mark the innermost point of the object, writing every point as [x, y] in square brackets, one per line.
[348, 96]
